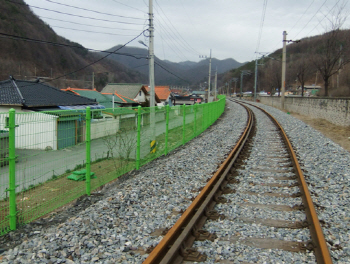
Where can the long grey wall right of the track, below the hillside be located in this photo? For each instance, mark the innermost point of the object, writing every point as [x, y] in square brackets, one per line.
[334, 110]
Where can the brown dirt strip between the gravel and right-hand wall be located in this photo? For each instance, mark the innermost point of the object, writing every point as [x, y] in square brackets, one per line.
[339, 134]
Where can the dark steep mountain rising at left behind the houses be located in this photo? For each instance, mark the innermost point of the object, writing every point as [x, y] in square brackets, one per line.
[24, 58]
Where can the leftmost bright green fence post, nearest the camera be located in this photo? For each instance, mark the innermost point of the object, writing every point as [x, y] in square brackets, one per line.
[11, 125]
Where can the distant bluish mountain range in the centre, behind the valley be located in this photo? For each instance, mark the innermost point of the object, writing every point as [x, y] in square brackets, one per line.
[167, 72]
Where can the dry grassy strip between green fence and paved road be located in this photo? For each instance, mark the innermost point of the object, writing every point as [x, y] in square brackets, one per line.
[46, 197]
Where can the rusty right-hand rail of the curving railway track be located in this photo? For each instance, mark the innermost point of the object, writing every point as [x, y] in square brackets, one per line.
[320, 247]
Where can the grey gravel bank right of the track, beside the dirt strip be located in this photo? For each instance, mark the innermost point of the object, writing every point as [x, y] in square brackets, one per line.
[326, 167]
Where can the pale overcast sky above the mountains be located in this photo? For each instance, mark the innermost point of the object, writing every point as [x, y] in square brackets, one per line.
[188, 29]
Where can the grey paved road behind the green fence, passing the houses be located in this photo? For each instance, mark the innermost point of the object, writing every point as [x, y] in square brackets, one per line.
[37, 166]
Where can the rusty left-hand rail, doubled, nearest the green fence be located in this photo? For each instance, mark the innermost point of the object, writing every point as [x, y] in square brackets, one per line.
[169, 248]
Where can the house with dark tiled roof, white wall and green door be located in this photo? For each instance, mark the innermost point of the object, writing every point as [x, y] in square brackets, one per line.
[44, 128]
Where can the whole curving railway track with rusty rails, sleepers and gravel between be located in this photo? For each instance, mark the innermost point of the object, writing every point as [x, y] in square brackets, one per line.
[258, 191]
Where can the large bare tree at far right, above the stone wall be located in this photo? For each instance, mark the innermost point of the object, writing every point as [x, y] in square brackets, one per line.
[330, 55]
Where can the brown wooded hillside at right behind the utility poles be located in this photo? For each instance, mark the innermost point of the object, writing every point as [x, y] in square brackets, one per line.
[321, 60]
